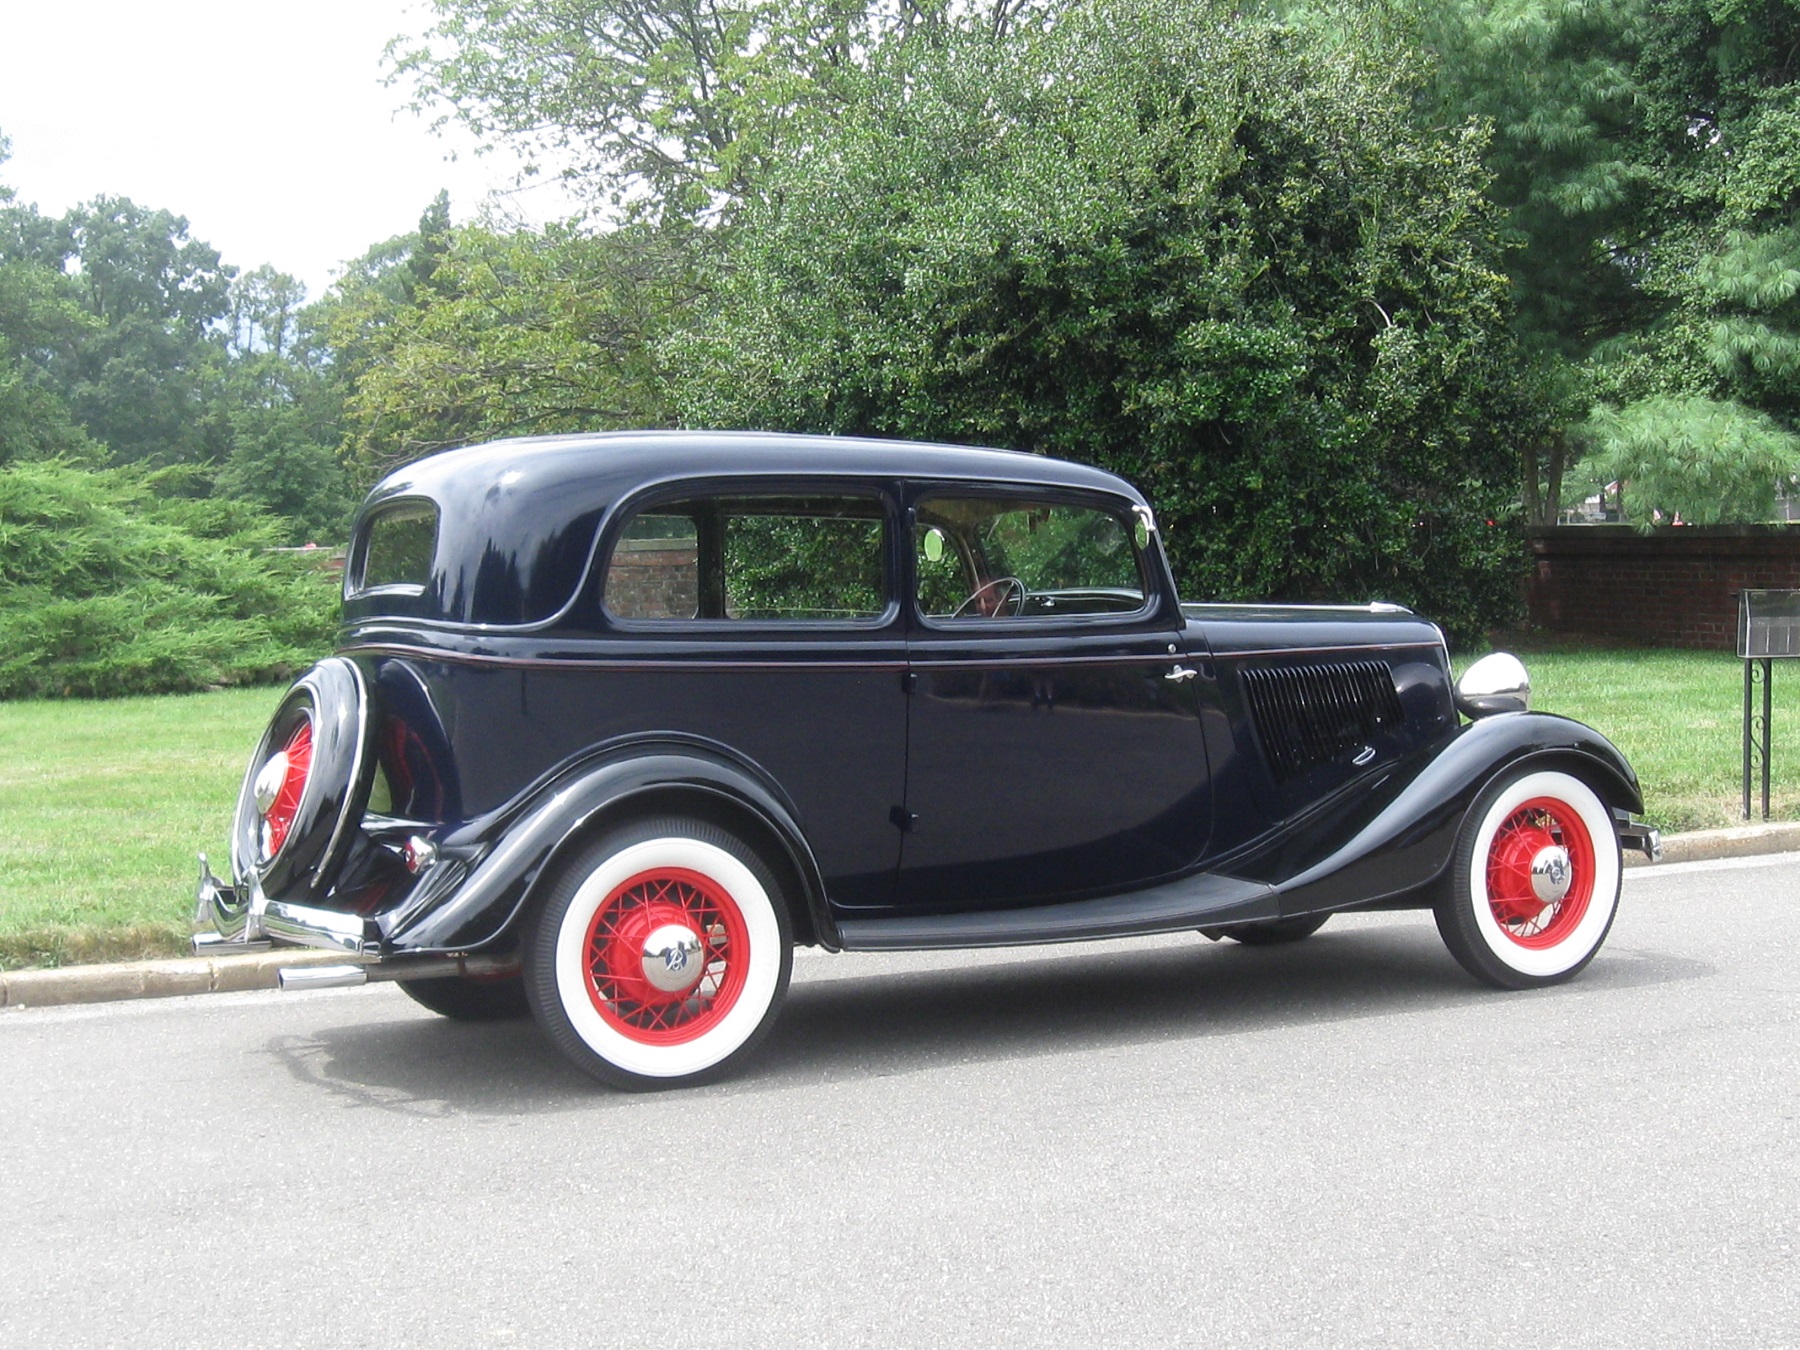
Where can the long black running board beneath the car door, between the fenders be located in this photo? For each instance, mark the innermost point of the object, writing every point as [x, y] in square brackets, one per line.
[1205, 901]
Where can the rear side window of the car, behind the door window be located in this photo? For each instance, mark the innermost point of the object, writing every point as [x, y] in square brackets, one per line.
[811, 559]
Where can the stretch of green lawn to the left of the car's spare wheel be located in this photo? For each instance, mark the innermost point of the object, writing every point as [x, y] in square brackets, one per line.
[103, 807]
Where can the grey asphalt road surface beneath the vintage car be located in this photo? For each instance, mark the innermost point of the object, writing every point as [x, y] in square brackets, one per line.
[1142, 1144]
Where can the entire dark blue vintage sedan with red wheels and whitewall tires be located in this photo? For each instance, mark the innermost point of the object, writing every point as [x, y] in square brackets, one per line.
[618, 721]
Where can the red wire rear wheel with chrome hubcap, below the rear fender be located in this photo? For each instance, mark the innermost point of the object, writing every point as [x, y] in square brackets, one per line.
[667, 957]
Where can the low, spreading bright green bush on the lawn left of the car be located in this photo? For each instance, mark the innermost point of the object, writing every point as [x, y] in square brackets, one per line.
[112, 584]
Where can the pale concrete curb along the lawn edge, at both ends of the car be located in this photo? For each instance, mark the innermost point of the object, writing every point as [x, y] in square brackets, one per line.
[220, 975]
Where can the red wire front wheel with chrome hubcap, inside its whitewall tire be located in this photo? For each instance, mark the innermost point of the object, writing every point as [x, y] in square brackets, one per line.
[1531, 834]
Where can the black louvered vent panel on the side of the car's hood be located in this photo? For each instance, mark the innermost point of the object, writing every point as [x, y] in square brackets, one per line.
[1309, 715]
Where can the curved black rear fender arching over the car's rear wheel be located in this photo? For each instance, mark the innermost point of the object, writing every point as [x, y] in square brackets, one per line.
[480, 901]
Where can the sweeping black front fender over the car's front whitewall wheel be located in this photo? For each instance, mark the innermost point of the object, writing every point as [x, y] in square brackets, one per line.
[1396, 834]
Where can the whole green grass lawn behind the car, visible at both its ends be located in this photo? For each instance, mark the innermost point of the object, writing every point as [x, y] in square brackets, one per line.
[103, 805]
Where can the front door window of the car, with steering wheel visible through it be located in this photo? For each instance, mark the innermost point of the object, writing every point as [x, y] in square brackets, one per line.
[1007, 557]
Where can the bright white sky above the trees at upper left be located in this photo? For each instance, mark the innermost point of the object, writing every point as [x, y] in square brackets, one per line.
[265, 125]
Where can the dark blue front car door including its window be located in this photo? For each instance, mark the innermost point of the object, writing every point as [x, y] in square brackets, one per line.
[1054, 732]
